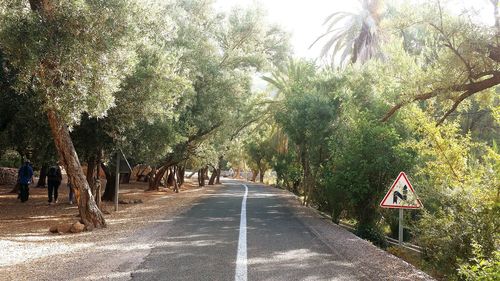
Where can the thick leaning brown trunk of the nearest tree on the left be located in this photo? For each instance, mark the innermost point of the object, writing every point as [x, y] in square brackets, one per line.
[90, 214]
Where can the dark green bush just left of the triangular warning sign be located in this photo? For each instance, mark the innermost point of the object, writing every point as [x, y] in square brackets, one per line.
[365, 159]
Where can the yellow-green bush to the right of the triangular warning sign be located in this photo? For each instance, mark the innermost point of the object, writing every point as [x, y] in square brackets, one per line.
[457, 179]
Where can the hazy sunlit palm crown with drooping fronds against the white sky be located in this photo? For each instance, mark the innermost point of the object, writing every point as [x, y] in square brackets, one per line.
[359, 35]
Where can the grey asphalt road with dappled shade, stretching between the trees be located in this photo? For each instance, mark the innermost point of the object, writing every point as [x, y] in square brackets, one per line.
[202, 244]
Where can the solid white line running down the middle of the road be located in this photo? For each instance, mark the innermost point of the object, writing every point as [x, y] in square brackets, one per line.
[241, 258]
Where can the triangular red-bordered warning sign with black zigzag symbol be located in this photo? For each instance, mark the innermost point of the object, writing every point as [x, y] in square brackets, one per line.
[401, 195]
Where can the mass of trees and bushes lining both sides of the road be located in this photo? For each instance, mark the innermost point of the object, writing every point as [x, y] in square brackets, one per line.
[406, 87]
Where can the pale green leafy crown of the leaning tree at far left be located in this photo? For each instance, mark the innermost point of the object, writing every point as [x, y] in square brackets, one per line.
[72, 59]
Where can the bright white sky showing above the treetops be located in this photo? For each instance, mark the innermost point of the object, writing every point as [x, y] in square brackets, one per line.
[304, 18]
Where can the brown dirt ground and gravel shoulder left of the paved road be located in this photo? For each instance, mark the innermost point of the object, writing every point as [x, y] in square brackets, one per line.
[27, 248]
